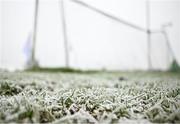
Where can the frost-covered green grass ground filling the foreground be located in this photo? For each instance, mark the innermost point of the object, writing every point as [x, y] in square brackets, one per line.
[27, 97]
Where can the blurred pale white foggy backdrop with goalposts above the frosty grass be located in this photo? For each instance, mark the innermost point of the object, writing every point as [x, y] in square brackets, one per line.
[90, 34]
